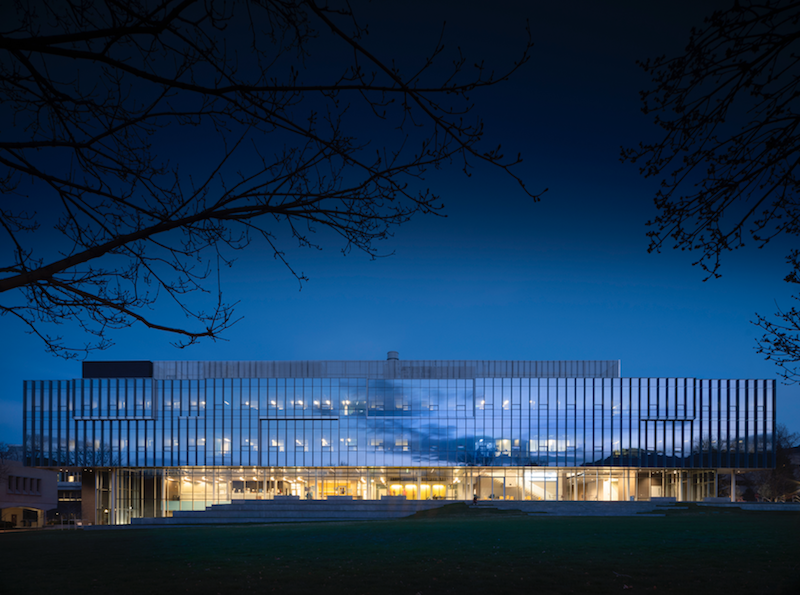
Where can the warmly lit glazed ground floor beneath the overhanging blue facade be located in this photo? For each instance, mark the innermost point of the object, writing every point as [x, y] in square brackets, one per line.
[124, 493]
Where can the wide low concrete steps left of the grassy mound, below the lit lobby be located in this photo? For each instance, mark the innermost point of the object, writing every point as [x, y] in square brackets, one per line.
[291, 509]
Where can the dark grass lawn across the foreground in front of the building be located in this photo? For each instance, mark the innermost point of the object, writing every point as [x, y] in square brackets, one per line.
[455, 550]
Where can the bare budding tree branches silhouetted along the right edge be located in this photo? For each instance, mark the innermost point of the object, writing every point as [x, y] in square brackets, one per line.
[728, 160]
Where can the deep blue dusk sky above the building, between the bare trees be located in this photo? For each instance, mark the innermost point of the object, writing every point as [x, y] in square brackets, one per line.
[501, 277]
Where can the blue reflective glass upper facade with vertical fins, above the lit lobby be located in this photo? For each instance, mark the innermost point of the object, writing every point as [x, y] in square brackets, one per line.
[355, 422]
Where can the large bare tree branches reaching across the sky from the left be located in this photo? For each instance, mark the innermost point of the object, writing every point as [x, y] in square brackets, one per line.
[145, 141]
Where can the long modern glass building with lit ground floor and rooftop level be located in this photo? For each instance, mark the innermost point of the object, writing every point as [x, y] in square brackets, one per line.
[149, 438]
